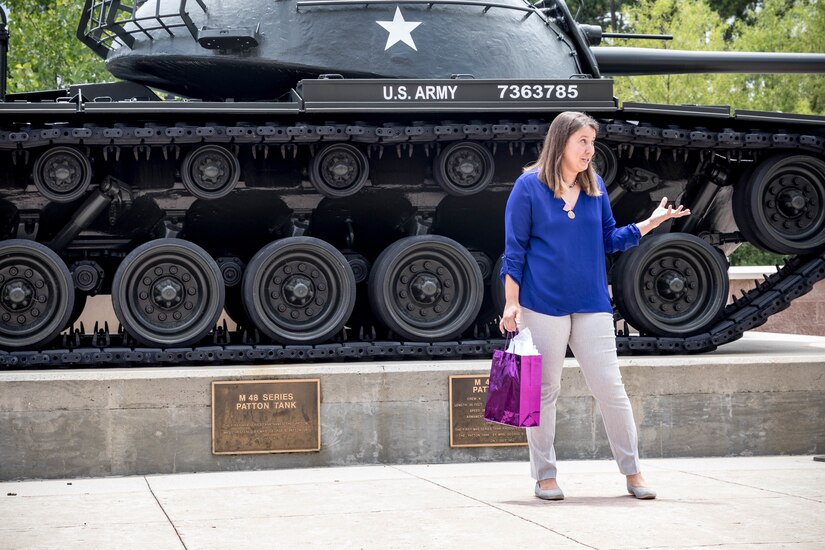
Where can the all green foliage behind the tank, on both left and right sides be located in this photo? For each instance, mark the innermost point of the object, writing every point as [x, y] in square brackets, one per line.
[46, 54]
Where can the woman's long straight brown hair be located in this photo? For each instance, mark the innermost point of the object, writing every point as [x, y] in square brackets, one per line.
[549, 162]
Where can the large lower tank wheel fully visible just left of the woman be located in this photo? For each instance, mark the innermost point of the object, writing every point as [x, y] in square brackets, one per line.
[426, 288]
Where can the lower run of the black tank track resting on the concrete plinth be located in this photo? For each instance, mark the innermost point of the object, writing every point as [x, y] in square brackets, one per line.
[772, 295]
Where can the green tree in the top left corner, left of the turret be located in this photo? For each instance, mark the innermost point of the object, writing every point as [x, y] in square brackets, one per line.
[44, 51]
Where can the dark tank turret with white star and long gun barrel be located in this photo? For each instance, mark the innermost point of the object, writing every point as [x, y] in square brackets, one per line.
[262, 49]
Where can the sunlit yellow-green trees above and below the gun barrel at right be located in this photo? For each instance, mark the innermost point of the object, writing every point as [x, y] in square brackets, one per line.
[771, 25]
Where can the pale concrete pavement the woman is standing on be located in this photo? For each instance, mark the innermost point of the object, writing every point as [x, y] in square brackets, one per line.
[743, 503]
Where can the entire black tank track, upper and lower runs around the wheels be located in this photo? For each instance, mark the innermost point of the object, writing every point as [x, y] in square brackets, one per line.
[752, 309]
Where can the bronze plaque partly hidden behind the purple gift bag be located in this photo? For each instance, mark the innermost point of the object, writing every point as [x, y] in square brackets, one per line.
[468, 397]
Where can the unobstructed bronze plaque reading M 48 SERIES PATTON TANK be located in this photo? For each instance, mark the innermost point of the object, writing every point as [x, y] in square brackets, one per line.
[266, 416]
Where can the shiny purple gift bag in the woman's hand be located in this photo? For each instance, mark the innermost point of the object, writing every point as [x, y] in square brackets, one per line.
[514, 395]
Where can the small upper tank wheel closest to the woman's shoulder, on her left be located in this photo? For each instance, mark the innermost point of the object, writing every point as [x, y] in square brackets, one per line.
[464, 168]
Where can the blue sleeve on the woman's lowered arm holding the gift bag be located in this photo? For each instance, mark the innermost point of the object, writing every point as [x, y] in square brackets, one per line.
[517, 218]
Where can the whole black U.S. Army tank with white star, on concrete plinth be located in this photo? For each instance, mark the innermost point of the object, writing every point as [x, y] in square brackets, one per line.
[333, 174]
